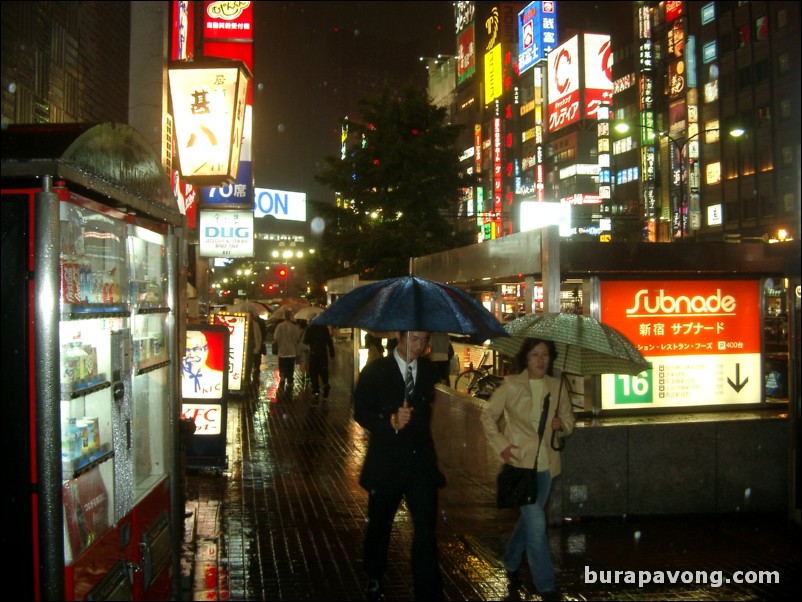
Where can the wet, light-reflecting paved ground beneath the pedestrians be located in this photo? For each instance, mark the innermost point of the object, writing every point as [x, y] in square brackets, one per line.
[285, 521]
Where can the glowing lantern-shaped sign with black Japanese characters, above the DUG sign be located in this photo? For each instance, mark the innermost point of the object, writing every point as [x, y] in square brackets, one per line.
[208, 99]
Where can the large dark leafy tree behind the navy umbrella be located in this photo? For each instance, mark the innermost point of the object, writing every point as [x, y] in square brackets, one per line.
[398, 190]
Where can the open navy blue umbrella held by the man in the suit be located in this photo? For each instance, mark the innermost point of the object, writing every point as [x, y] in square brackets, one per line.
[411, 303]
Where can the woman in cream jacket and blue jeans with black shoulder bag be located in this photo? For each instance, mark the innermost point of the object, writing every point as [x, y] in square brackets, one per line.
[521, 401]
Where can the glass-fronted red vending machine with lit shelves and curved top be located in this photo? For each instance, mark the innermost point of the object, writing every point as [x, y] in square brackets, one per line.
[90, 288]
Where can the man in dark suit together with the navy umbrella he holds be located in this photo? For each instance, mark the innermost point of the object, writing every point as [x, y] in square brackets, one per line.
[393, 401]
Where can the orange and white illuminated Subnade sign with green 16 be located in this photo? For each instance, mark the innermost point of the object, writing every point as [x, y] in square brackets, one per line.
[702, 338]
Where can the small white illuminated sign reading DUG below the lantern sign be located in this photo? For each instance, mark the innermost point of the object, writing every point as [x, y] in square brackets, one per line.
[226, 233]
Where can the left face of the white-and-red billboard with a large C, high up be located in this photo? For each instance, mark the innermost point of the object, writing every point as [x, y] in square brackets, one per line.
[563, 88]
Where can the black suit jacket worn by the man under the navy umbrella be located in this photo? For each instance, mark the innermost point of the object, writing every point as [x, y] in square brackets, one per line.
[394, 458]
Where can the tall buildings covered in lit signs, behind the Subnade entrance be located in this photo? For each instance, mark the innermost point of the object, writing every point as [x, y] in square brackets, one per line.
[682, 76]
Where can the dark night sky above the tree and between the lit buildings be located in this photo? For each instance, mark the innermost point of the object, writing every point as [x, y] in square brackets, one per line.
[299, 77]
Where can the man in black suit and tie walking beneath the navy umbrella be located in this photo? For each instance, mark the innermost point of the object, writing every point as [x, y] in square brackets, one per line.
[401, 461]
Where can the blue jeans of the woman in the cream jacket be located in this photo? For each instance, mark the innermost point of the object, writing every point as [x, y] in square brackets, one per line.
[530, 536]
